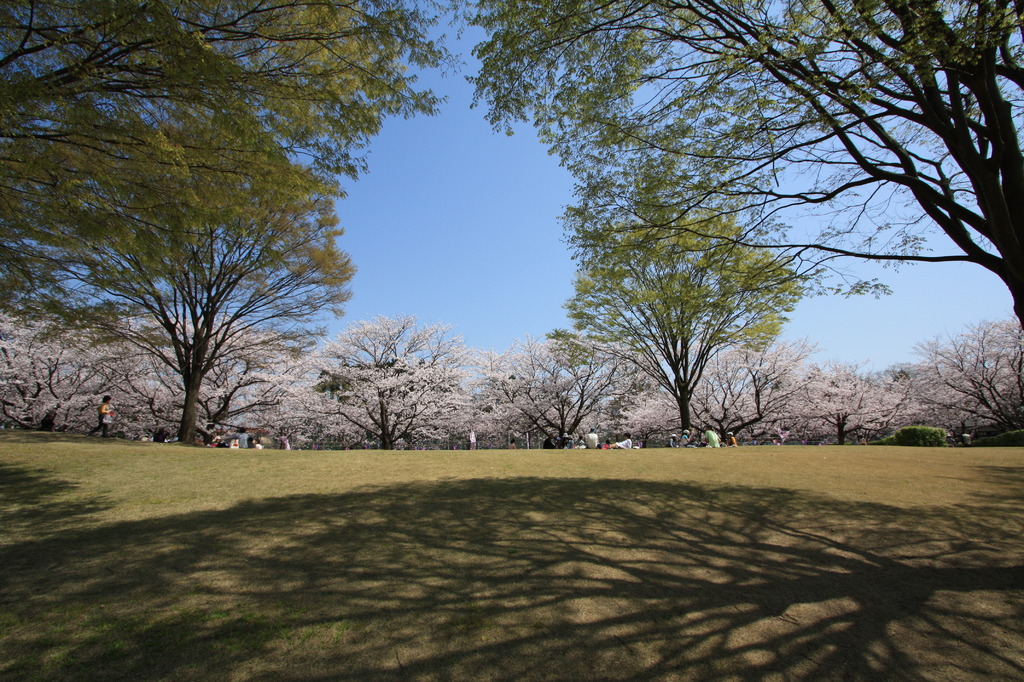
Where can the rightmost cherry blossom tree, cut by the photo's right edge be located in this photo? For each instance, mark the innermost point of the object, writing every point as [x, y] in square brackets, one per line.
[979, 374]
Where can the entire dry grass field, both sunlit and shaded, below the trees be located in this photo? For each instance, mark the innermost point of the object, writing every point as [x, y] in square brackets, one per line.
[150, 562]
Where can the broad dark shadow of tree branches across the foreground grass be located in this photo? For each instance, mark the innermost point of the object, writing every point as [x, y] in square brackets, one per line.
[524, 579]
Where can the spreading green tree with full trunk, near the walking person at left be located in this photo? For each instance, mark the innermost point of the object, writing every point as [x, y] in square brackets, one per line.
[196, 295]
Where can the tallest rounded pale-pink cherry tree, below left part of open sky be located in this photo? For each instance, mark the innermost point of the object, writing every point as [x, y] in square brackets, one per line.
[394, 379]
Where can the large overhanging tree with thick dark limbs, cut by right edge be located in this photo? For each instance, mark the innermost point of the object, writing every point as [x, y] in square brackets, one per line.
[840, 127]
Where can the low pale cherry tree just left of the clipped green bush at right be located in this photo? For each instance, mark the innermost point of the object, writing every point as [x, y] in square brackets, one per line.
[840, 399]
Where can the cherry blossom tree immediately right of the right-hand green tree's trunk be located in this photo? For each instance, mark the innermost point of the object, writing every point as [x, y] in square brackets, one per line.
[745, 389]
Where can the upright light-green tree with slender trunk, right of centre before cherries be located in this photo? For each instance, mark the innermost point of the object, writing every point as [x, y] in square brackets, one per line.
[673, 305]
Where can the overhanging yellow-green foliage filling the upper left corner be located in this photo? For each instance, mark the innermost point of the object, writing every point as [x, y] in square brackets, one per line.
[111, 109]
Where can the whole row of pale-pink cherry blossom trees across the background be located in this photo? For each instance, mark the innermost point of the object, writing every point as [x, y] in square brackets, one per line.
[395, 383]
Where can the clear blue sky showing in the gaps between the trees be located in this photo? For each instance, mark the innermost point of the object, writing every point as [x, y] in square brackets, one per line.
[459, 225]
